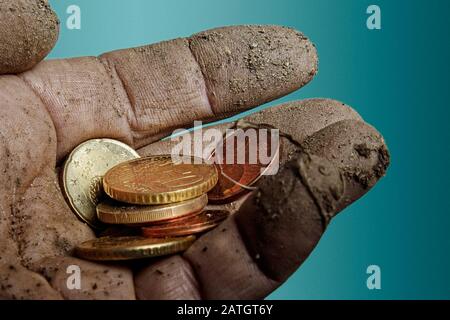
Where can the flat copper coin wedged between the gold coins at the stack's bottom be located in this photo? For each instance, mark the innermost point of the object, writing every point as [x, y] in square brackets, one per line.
[202, 222]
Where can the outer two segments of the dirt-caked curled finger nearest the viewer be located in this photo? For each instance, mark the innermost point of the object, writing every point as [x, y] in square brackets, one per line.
[293, 208]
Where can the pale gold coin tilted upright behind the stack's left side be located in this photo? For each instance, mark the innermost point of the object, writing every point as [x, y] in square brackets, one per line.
[83, 172]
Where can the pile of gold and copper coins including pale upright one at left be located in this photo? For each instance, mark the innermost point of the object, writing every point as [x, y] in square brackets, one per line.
[106, 183]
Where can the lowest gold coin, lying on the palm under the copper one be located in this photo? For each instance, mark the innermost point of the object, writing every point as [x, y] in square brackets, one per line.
[129, 248]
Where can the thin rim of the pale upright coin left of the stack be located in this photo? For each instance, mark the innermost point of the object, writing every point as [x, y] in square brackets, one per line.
[93, 224]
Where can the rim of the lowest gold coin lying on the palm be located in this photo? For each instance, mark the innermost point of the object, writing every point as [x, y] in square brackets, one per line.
[165, 247]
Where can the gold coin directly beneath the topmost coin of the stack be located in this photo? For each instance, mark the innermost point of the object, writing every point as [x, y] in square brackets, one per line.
[113, 212]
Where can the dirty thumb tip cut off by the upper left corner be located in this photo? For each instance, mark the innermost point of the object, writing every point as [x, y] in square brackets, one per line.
[28, 31]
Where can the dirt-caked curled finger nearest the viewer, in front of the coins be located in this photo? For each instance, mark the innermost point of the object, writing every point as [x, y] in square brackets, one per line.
[277, 228]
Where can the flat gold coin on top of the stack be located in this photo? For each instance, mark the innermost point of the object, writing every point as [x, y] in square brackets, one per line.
[159, 180]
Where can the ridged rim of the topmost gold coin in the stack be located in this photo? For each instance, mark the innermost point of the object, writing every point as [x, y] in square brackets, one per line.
[166, 197]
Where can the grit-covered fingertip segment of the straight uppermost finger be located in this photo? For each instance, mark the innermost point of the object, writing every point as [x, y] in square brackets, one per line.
[266, 61]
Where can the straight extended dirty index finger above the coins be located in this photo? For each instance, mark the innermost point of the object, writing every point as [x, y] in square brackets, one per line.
[140, 95]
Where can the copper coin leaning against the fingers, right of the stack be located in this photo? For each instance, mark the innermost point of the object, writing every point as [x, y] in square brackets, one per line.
[237, 179]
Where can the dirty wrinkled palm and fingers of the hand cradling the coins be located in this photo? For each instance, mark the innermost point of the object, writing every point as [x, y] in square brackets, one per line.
[139, 96]
